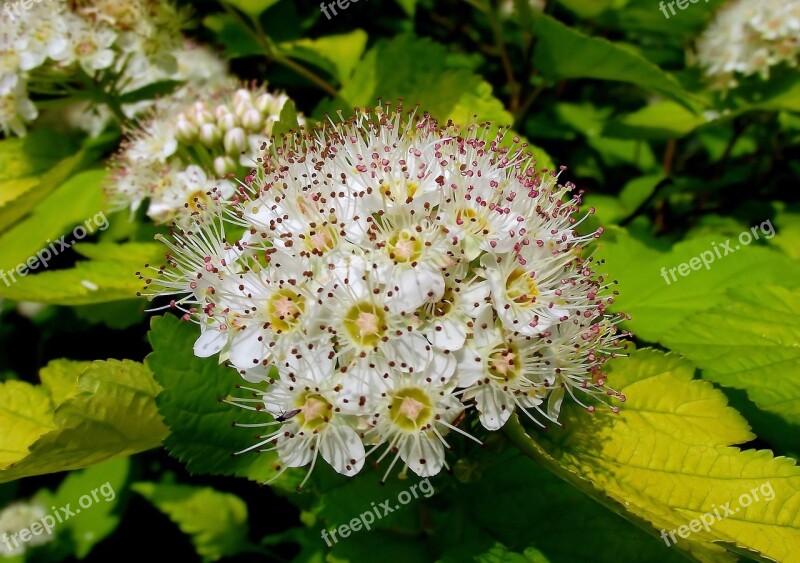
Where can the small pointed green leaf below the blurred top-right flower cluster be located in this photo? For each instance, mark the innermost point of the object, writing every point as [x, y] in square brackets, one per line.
[659, 121]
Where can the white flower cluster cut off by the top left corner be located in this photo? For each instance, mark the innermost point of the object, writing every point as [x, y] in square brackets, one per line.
[57, 48]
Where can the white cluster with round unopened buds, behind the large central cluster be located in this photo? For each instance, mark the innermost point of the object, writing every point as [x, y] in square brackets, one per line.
[180, 156]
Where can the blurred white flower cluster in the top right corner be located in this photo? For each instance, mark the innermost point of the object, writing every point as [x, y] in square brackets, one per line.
[748, 37]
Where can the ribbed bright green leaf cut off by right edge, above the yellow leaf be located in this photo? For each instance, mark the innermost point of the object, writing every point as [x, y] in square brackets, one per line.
[751, 341]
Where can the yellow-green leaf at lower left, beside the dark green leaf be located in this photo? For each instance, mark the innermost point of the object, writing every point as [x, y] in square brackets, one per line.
[112, 414]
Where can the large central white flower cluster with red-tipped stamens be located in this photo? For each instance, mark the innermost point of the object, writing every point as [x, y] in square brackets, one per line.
[391, 273]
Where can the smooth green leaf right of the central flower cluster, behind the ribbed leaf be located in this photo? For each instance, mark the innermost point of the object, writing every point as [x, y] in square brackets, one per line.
[658, 297]
